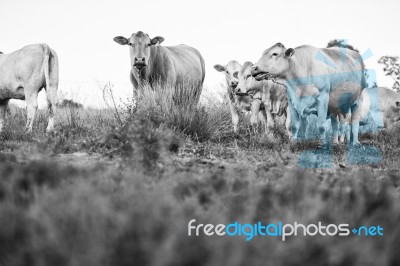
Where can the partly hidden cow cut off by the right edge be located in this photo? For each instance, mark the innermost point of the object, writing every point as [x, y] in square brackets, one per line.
[380, 107]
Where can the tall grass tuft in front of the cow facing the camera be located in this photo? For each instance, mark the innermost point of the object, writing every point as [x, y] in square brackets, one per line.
[179, 110]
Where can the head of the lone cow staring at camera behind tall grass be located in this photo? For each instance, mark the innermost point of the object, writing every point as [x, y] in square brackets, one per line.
[140, 44]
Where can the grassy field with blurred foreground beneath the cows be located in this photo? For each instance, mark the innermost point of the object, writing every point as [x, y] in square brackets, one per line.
[118, 186]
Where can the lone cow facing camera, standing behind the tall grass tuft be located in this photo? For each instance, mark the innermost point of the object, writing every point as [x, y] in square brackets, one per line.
[177, 66]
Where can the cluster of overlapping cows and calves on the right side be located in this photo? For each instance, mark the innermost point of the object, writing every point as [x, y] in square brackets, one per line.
[327, 82]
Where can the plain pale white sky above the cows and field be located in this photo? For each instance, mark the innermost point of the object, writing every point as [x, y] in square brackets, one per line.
[82, 32]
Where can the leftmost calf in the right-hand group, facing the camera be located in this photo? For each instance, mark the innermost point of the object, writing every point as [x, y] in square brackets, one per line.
[236, 103]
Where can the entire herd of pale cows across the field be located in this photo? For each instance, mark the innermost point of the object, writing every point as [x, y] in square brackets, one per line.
[295, 83]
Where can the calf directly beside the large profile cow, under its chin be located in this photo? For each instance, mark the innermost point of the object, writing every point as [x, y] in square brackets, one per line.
[267, 97]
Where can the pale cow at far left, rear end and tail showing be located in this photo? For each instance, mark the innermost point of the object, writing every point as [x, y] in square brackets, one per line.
[23, 74]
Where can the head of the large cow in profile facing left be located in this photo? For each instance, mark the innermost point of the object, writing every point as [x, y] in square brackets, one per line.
[274, 62]
